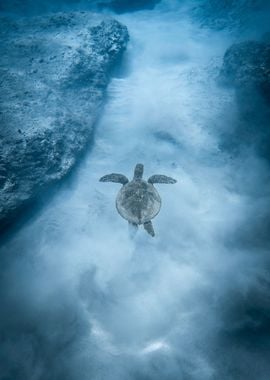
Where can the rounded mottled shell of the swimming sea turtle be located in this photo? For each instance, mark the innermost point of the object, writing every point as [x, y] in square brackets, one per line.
[138, 202]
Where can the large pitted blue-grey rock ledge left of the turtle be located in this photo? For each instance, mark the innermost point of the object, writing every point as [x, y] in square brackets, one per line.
[54, 72]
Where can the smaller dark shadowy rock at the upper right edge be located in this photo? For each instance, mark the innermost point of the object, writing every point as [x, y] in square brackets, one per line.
[246, 67]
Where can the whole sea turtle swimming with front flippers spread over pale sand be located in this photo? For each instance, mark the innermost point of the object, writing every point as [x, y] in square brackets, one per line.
[138, 201]
